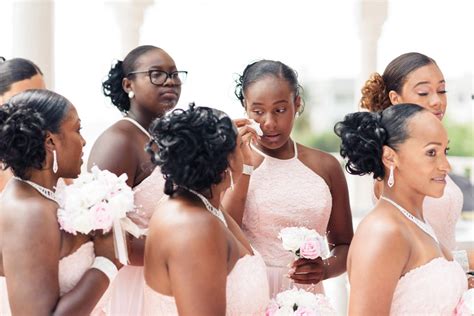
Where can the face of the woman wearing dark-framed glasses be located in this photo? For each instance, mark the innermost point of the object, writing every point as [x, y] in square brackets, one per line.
[151, 98]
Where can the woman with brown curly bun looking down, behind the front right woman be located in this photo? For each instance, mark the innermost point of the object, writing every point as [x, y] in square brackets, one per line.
[416, 78]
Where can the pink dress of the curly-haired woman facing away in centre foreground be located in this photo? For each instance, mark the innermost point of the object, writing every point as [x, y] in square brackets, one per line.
[246, 290]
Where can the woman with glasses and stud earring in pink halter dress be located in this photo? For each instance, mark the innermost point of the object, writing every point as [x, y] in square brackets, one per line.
[144, 86]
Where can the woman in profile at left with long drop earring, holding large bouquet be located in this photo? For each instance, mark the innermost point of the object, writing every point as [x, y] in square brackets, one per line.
[46, 271]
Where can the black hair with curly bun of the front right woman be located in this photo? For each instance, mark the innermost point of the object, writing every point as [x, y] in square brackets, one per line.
[364, 134]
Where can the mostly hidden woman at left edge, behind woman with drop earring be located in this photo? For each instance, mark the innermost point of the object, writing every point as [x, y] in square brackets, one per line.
[17, 75]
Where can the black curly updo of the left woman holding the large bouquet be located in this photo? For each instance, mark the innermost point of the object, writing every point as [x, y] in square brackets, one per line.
[24, 121]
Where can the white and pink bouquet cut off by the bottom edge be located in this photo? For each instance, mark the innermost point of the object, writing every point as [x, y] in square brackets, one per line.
[299, 302]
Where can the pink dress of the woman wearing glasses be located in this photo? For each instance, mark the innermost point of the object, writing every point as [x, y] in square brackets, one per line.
[126, 291]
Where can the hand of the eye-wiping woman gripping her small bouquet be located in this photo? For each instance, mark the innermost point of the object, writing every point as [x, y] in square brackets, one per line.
[307, 271]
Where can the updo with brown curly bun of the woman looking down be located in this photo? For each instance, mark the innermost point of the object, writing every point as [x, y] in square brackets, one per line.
[375, 91]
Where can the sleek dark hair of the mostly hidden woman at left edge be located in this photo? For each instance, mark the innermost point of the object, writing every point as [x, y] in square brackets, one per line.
[14, 70]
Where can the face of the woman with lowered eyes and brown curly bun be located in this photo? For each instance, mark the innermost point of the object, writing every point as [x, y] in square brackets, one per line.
[426, 87]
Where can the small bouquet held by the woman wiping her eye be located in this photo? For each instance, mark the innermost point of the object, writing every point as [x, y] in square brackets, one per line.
[303, 242]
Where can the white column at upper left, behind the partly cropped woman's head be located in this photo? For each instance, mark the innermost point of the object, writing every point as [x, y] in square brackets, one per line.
[33, 35]
